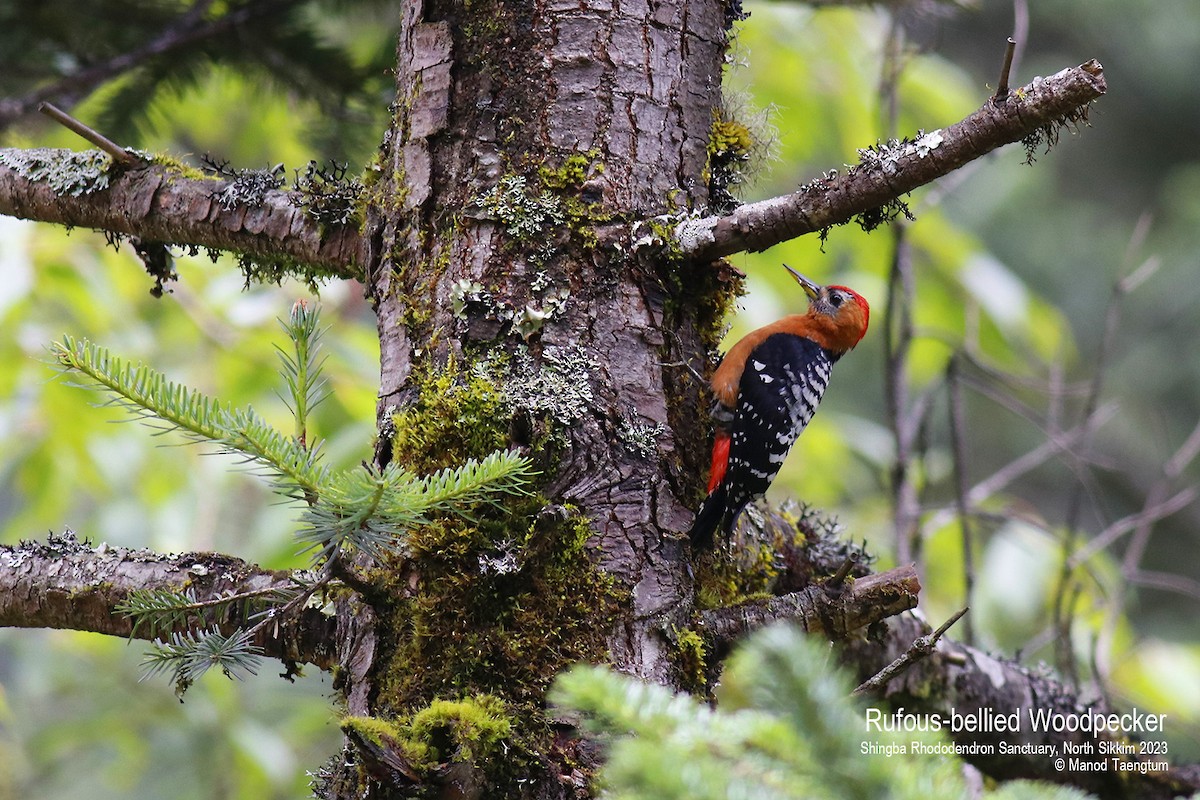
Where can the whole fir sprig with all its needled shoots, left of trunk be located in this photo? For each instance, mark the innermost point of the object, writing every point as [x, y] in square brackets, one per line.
[359, 509]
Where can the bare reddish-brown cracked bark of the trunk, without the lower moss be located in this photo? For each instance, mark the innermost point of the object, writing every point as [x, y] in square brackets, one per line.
[514, 88]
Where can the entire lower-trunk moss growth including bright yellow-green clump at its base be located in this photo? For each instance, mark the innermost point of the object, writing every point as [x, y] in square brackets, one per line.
[496, 609]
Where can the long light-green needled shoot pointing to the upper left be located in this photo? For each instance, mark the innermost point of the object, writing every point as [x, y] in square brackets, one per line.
[149, 395]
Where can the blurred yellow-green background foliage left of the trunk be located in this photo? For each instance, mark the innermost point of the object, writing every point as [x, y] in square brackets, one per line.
[75, 721]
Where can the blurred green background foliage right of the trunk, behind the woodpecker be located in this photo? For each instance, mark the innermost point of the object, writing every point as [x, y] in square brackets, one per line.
[1017, 266]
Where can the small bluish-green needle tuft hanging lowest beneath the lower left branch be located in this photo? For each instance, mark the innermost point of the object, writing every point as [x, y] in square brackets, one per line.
[188, 657]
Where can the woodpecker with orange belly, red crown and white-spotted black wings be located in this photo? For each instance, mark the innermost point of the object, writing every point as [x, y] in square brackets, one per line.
[767, 388]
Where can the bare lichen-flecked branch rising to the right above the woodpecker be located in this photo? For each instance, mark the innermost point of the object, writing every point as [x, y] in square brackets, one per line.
[1034, 115]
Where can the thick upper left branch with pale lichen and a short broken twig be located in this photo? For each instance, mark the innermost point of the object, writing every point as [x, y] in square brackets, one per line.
[158, 203]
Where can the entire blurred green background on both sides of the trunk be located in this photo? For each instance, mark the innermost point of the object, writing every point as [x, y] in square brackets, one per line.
[1013, 272]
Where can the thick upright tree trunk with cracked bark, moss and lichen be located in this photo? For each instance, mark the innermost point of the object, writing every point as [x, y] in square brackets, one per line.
[512, 314]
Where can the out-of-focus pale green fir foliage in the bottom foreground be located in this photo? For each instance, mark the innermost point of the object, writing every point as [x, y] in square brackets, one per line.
[785, 727]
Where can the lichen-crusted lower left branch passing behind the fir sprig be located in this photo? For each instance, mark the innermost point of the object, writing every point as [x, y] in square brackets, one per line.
[70, 585]
